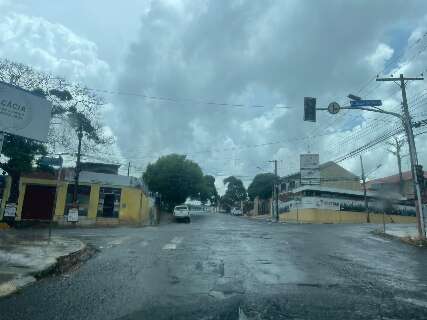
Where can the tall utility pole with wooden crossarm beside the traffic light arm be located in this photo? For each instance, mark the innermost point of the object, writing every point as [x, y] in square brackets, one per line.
[407, 123]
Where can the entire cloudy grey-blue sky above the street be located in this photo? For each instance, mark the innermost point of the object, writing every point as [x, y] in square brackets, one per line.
[262, 55]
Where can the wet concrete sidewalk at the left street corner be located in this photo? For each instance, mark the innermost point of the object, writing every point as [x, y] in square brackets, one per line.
[24, 257]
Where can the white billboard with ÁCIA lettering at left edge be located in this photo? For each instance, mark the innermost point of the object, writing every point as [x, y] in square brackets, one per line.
[23, 113]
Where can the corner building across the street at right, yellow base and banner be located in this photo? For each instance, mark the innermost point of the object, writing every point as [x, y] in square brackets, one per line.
[339, 198]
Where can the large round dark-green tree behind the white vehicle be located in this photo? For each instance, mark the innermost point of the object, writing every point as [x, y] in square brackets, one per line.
[175, 178]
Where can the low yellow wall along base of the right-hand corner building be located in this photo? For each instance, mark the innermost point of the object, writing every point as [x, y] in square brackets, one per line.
[331, 216]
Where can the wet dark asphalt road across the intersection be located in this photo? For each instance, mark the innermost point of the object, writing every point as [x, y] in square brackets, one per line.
[219, 266]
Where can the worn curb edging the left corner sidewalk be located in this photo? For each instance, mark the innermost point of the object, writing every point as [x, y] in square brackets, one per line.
[62, 264]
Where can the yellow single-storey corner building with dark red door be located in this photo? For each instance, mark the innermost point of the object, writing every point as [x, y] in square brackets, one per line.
[102, 198]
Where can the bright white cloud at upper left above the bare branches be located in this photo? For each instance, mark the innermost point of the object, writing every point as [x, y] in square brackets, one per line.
[52, 48]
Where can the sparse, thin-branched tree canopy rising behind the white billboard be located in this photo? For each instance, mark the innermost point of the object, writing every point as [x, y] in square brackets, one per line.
[67, 99]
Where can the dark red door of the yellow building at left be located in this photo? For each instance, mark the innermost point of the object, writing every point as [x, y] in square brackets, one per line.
[38, 202]
